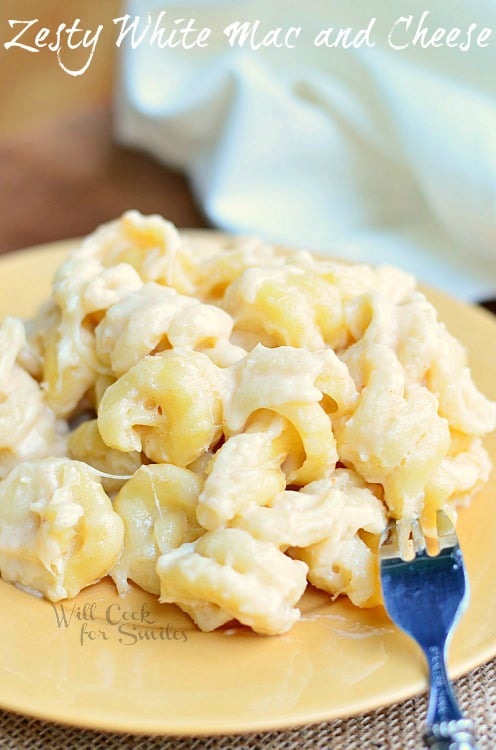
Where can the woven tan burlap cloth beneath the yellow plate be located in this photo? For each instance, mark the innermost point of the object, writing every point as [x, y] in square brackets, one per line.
[396, 728]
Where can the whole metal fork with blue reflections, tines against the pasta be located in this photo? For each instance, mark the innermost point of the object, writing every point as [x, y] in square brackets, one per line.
[425, 596]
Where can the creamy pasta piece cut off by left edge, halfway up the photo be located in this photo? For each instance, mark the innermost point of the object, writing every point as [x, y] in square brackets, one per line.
[28, 427]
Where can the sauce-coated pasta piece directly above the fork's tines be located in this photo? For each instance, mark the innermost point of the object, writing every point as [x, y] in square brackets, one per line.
[395, 437]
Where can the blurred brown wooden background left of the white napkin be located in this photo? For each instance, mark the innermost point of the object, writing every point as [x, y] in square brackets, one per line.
[61, 174]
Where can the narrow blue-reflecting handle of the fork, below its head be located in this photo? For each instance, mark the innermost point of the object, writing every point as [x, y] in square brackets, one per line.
[446, 728]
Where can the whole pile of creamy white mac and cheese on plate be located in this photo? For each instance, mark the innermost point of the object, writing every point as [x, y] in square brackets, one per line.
[222, 422]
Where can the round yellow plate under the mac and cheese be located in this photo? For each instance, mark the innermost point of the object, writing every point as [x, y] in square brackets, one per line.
[132, 665]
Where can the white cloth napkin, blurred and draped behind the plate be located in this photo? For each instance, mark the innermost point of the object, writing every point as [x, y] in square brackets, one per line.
[369, 153]
